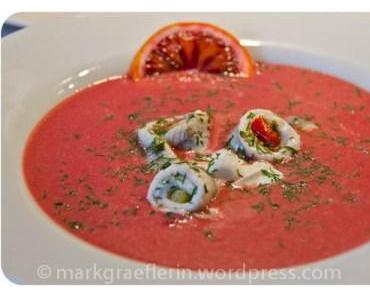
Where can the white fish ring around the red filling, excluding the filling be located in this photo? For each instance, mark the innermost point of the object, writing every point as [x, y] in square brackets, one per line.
[244, 141]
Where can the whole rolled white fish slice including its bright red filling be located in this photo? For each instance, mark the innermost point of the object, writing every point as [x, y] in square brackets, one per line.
[263, 135]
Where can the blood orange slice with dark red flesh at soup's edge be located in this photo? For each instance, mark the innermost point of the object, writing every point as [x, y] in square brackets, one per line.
[184, 46]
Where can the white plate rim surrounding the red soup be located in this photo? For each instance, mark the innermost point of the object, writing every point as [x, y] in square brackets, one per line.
[44, 63]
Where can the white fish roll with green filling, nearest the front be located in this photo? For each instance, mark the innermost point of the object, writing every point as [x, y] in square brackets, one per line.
[181, 188]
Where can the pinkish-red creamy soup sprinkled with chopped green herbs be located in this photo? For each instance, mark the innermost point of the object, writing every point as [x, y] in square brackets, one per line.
[85, 169]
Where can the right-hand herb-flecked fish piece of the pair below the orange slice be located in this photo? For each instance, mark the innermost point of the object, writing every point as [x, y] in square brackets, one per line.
[190, 132]
